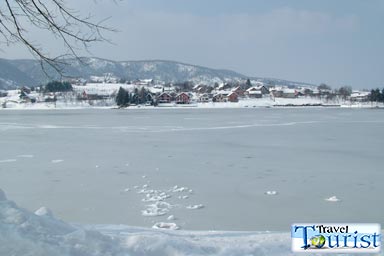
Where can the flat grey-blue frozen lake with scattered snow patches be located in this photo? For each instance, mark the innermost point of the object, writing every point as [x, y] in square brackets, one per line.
[250, 169]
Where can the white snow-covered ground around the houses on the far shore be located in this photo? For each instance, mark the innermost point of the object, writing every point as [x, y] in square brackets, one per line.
[108, 90]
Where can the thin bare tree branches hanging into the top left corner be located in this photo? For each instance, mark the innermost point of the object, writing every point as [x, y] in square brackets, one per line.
[54, 16]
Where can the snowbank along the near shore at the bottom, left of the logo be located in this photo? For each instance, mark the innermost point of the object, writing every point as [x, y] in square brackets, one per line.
[23, 233]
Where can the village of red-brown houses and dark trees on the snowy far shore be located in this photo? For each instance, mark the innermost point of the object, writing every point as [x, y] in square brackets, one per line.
[103, 91]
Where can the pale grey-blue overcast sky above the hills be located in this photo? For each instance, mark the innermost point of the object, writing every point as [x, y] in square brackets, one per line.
[339, 42]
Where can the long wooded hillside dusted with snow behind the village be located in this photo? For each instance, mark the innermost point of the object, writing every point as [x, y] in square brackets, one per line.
[14, 73]
